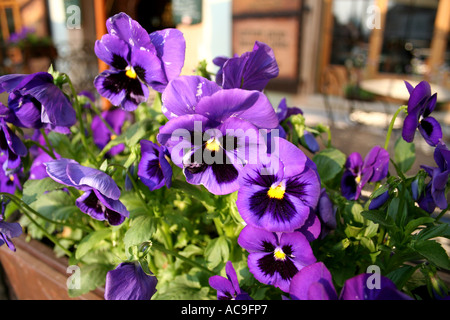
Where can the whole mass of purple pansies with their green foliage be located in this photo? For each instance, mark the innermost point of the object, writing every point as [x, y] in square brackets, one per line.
[210, 178]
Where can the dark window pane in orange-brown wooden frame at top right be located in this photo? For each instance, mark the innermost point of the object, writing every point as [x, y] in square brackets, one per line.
[407, 36]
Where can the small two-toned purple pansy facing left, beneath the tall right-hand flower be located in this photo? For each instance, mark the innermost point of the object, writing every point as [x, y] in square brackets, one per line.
[358, 172]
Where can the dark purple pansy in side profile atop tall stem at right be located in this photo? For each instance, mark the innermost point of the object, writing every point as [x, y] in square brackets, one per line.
[420, 105]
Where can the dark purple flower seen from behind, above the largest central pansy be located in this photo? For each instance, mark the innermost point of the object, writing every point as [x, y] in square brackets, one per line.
[251, 71]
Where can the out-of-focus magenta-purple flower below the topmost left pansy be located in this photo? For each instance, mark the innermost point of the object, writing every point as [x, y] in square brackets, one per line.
[102, 135]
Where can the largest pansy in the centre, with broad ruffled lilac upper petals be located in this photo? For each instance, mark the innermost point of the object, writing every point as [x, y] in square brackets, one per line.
[212, 132]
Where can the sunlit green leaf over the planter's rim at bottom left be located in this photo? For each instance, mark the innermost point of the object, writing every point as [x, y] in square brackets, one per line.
[91, 277]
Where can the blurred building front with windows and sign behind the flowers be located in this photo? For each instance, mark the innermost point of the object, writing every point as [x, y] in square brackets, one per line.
[342, 61]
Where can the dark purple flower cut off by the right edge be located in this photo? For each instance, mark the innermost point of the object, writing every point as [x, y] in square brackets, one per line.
[439, 175]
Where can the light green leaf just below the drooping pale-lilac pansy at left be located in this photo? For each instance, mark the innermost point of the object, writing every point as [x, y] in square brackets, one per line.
[142, 229]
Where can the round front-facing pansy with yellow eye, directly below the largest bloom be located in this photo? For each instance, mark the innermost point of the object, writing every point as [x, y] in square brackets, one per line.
[278, 193]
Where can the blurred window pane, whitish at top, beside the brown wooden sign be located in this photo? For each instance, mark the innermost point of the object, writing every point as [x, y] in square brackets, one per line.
[351, 32]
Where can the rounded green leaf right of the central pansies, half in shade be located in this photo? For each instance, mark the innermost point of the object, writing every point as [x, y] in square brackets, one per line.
[329, 163]
